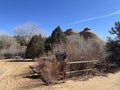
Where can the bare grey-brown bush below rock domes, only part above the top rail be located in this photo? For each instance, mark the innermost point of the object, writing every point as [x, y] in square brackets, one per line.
[80, 48]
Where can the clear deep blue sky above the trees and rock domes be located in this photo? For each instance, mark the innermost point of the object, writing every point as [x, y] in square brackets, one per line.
[99, 15]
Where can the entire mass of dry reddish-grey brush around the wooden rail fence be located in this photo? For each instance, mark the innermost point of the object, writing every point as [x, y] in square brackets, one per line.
[50, 68]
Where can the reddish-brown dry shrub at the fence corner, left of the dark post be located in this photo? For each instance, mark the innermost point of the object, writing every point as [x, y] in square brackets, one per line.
[48, 66]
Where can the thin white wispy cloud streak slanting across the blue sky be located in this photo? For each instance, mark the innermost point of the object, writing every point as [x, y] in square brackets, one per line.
[95, 18]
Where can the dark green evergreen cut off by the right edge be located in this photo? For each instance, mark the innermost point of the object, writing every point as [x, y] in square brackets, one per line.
[113, 44]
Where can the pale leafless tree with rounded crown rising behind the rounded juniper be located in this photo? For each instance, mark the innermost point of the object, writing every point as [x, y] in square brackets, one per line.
[25, 32]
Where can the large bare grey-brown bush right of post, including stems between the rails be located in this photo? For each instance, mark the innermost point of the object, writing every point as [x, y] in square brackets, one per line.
[80, 49]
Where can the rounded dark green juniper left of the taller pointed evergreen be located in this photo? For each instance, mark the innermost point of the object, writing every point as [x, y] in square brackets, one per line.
[35, 47]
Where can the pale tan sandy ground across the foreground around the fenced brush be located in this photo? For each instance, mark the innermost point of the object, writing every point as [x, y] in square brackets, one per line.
[12, 78]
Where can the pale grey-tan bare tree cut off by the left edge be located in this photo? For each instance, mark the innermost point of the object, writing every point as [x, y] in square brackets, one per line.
[10, 47]
